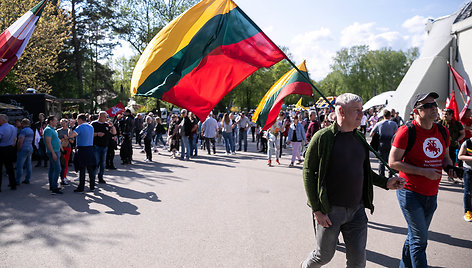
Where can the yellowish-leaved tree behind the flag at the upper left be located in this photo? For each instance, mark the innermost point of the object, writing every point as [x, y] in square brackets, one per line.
[40, 59]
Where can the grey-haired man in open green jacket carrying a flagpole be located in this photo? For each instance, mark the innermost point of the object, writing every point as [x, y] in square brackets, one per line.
[339, 185]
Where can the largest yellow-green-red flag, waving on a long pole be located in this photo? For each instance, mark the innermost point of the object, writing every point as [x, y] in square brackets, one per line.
[202, 55]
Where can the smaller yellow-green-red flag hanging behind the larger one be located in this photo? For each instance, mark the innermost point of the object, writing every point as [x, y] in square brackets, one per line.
[290, 83]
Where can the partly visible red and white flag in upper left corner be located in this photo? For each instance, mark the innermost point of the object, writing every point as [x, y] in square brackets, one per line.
[14, 39]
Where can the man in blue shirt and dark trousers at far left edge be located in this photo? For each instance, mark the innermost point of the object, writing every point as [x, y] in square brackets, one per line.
[7, 150]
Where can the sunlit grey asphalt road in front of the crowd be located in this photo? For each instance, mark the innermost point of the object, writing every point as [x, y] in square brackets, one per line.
[211, 211]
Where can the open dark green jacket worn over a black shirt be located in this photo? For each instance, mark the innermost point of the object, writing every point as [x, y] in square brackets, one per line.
[315, 170]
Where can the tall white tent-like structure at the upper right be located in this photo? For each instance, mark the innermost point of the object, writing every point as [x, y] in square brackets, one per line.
[449, 39]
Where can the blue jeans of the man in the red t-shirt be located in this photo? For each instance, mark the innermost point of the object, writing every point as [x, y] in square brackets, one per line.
[418, 211]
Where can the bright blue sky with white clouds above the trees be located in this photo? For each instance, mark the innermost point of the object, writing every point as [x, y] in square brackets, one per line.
[314, 30]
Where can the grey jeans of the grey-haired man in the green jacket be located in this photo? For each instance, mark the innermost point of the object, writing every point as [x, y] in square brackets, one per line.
[352, 223]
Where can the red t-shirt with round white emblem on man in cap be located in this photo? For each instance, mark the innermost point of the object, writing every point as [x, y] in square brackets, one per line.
[428, 150]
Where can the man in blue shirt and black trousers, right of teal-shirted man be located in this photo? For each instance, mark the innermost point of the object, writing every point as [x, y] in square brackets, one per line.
[85, 155]
